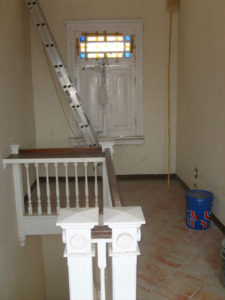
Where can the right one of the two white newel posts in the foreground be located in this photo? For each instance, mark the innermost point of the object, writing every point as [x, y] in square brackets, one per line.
[125, 223]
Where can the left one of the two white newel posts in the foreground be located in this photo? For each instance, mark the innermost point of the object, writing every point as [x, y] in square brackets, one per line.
[77, 224]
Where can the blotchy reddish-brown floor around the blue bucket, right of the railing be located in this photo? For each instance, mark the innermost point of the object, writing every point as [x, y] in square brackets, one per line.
[176, 263]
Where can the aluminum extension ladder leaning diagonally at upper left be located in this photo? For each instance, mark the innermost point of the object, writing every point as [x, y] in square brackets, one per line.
[61, 72]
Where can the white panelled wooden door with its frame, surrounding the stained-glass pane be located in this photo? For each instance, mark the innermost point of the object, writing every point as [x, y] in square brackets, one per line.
[122, 116]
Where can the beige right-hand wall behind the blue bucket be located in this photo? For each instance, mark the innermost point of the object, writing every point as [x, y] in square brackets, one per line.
[201, 97]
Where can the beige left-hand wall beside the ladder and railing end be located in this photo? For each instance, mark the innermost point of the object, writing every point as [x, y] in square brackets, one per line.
[21, 268]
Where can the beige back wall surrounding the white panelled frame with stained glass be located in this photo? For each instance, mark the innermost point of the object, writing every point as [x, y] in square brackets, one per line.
[51, 127]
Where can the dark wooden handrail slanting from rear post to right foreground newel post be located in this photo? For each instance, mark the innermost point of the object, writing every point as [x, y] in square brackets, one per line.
[113, 184]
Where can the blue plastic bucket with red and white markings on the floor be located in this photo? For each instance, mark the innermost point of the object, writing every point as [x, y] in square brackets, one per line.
[199, 204]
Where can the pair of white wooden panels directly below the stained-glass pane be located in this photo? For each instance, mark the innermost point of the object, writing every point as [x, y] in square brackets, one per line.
[117, 117]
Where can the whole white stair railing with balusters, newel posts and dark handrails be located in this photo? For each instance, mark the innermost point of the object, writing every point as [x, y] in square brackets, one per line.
[78, 190]
